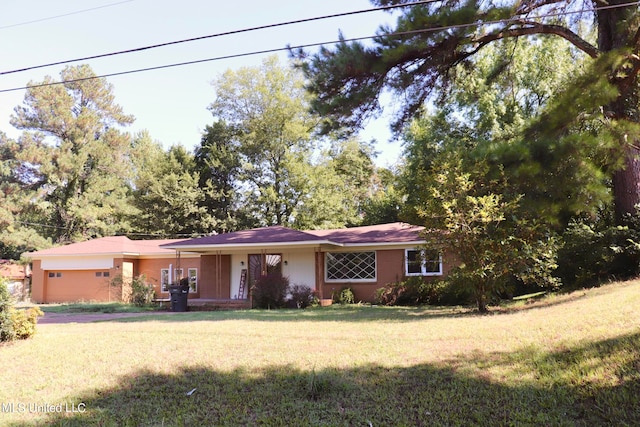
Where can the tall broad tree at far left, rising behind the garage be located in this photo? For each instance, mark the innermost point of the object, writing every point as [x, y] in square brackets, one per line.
[73, 158]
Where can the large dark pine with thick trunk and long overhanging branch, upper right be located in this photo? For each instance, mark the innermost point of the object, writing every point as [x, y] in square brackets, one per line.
[415, 60]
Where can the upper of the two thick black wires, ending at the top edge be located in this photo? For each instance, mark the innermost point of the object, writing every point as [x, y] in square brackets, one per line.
[226, 33]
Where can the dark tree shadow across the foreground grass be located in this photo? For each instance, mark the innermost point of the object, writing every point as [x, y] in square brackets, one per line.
[578, 386]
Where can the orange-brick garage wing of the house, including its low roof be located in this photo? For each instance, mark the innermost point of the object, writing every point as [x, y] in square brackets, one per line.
[86, 271]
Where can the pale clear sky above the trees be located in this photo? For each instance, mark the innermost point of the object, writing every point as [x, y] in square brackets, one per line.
[171, 103]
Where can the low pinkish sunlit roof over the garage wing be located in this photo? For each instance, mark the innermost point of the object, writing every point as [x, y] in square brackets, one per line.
[113, 245]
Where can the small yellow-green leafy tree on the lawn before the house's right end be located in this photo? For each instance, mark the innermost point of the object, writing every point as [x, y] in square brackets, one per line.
[480, 221]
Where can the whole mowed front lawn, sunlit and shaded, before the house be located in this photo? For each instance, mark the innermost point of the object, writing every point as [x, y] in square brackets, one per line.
[562, 360]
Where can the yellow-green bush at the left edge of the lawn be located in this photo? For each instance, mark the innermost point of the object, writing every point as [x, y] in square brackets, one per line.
[15, 324]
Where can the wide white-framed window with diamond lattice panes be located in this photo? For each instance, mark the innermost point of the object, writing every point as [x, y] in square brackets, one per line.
[350, 266]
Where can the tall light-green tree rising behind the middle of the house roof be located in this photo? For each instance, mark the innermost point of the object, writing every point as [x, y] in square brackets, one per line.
[268, 109]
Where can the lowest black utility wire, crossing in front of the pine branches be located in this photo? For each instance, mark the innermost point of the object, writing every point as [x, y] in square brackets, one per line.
[259, 52]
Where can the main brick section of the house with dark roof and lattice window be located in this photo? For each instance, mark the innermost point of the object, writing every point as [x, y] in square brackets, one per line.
[361, 258]
